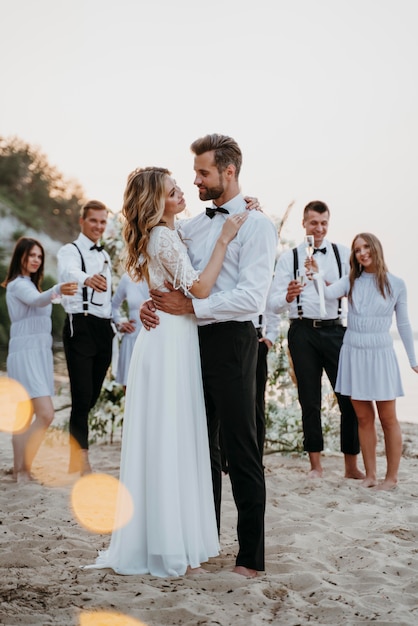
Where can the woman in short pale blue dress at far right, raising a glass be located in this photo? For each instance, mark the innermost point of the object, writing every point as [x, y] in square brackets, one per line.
[368, 369]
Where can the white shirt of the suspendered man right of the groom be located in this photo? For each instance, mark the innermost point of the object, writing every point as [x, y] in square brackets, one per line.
[309, 298]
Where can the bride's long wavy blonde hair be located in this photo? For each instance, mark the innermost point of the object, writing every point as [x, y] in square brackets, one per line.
[143, 208]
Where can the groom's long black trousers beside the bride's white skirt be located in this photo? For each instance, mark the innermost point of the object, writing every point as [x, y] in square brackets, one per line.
[229, 357]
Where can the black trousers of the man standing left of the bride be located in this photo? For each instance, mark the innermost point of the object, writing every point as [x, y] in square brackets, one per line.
[88, 353]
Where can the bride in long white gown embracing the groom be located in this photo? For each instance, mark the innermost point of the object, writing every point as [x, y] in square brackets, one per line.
[165, 461]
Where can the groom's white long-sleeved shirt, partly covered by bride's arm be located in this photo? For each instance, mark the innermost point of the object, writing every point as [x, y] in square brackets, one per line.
[240, 291]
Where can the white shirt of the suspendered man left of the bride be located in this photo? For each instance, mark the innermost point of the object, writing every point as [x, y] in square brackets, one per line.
[69, 269]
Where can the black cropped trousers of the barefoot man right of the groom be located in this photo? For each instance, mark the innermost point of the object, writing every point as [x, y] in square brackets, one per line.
[314, 350]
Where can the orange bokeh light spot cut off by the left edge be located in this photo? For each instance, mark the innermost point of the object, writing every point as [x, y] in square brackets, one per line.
[16, 408]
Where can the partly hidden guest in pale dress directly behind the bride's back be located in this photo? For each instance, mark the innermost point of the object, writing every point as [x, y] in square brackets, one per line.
[133, 294]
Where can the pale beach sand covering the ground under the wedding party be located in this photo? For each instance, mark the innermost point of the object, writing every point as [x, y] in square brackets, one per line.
[336, 553]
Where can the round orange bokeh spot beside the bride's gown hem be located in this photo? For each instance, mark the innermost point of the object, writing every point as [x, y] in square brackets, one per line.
[94, 498]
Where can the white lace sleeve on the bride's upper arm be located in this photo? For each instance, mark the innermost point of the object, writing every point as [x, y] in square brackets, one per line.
[172, 255]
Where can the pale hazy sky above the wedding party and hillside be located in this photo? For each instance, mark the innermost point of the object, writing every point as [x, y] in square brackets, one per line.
[321, 95]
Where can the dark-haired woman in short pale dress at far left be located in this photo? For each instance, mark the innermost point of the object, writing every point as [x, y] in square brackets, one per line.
[30, 359]
